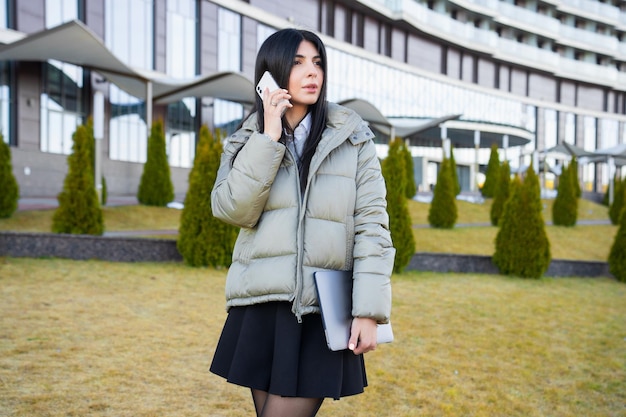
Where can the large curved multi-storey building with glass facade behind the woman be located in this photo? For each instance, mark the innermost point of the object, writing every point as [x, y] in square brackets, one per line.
[413, 60]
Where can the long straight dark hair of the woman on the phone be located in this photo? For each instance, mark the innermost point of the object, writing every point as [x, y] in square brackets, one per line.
[277, 55]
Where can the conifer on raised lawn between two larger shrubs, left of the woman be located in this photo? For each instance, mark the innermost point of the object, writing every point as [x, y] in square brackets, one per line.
[155, 187]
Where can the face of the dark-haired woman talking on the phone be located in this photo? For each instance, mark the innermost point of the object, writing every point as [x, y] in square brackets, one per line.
[306, 77]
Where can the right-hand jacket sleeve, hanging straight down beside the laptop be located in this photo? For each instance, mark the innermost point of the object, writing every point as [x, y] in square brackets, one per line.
[373, 249]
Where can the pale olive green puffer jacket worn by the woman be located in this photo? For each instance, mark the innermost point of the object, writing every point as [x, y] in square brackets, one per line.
[340, 222]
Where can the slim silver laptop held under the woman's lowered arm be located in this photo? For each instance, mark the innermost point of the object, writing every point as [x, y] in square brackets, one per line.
[334, 293]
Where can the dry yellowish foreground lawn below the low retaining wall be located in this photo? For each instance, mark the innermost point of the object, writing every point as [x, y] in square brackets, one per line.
[119, 339]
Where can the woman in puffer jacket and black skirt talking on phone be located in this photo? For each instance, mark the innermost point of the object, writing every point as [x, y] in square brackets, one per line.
[302, 180]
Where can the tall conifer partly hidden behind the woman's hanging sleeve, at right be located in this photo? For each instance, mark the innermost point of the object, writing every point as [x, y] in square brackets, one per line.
[393, 169]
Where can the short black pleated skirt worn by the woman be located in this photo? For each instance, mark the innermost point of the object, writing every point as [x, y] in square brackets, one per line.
[264, 347]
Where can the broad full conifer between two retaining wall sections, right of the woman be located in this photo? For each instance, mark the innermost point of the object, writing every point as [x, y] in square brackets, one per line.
[522, 246]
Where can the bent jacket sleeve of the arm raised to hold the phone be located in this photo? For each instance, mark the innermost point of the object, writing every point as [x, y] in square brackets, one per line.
[242, 186]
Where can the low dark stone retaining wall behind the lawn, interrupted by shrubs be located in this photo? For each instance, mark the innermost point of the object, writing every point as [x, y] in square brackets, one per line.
[129, 249]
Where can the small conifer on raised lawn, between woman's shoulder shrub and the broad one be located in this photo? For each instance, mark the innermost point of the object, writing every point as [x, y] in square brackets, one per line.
[443, 212]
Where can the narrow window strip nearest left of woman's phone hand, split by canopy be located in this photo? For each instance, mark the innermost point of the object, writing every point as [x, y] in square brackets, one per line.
[227, 114]
